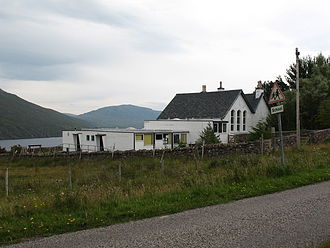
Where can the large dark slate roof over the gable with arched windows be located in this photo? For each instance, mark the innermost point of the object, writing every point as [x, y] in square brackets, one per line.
[202, 105]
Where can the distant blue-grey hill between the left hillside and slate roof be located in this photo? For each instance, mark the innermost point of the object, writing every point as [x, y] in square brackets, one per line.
[121, 116]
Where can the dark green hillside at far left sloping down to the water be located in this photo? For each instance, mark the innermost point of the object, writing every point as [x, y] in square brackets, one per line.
[22, 119]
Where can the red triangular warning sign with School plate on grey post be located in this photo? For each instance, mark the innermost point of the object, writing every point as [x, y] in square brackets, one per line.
[277, 96]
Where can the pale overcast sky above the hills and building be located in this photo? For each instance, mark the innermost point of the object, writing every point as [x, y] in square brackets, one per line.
[80, 55]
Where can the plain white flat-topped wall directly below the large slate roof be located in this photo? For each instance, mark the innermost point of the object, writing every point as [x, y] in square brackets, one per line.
[193, 126]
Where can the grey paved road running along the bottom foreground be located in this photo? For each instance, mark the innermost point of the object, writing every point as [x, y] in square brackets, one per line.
[293, 218]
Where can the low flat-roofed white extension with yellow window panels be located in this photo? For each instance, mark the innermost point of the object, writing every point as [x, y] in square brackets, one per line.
[93, 140]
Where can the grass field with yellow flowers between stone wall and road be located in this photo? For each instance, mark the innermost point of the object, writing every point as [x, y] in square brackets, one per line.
[41, 203]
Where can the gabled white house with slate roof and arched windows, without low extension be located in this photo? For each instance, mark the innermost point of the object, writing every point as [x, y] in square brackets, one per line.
[229, 112]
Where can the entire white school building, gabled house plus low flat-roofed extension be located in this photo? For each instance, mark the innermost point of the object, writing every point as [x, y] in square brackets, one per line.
[180, 123]
